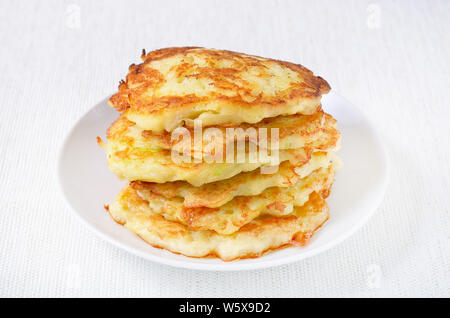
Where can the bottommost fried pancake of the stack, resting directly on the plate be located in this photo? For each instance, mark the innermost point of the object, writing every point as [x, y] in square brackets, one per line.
[252, 240]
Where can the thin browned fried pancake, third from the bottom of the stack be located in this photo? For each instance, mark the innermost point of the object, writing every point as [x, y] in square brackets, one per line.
[218, 193]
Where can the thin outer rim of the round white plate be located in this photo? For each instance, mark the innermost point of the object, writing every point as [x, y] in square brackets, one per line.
[234, 265]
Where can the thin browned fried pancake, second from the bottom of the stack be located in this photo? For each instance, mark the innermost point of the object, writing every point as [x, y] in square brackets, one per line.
[231, 216]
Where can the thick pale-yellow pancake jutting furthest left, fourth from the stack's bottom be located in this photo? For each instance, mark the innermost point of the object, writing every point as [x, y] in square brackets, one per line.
[131, 158]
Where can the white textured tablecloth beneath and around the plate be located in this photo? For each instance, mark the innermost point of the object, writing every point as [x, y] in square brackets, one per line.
[391, 59]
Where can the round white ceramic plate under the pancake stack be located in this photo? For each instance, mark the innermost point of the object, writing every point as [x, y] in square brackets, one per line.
[87, 185]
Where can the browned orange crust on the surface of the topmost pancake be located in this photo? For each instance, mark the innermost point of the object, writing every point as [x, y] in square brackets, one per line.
[142, 78]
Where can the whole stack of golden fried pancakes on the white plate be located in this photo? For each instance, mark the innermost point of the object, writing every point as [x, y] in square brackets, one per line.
[227, 209]
